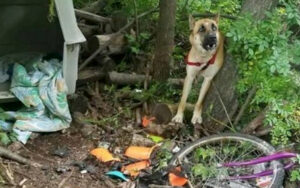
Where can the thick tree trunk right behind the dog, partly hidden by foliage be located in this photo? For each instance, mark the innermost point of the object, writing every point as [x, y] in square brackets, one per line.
[223, 88]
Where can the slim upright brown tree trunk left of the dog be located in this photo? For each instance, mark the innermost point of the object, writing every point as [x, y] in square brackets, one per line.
[164, 39]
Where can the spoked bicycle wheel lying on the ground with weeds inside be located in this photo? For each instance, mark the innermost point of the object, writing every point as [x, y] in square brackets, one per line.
[201, 161]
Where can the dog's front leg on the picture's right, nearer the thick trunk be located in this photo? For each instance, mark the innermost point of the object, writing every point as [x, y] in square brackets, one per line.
[197, 118]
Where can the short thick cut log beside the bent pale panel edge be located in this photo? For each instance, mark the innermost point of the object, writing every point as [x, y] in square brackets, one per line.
[109, 44]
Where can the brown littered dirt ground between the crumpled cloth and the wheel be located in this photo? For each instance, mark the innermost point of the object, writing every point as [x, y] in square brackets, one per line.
[65, 155]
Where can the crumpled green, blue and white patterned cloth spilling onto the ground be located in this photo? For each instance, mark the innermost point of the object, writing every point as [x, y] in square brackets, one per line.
[40, 86]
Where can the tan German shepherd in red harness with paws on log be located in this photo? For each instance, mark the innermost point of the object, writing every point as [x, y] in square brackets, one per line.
[205, 57]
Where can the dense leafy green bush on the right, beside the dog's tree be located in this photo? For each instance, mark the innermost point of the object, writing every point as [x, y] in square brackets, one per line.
[264, 55]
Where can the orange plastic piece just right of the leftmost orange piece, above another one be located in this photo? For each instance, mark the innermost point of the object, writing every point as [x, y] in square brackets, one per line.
[139, 152]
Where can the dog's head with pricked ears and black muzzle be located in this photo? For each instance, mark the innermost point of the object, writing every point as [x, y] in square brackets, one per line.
[204, 33]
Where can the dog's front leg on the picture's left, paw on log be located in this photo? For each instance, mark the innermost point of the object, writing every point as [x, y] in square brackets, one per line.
[188, 81]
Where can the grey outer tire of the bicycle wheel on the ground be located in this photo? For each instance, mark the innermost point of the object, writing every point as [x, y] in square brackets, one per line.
[266, 148]
